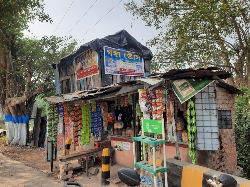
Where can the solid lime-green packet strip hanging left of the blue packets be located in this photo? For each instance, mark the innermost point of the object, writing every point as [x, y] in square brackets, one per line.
[86, 124]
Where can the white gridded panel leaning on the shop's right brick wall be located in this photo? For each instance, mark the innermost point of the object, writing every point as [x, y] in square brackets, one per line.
[206, 119]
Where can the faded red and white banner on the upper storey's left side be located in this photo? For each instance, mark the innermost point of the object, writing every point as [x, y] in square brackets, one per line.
[86, 64]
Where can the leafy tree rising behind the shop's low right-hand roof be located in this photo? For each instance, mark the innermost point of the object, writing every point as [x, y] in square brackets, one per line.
[199, 33]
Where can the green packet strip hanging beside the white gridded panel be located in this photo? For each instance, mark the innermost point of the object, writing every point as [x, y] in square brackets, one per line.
[191, 127]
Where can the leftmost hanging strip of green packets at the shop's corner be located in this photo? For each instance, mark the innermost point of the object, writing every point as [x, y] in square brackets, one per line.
[52, 121]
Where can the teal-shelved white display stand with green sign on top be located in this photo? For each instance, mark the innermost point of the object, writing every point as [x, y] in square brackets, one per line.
[151, 165]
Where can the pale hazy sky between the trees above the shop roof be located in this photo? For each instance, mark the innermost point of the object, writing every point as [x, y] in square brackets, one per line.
[86, 20]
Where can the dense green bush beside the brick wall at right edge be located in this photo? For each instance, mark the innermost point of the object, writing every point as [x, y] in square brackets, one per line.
[242, 130]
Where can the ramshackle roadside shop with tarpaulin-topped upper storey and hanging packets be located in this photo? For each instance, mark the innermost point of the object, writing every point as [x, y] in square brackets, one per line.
[104, 90]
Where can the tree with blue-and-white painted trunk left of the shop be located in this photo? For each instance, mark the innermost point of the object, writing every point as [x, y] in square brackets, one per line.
[25, 63]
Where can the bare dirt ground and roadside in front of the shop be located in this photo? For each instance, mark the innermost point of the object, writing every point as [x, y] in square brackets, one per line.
[30, 165]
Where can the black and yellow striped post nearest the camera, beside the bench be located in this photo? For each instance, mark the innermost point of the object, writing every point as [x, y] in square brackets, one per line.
[105, 166]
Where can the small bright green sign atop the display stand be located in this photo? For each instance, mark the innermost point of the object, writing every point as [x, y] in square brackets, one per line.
[152, 126]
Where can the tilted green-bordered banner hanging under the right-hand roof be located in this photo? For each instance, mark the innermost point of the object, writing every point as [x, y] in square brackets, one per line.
[187, 88]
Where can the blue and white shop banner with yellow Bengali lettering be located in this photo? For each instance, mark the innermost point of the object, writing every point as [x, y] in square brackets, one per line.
[120, 62]
